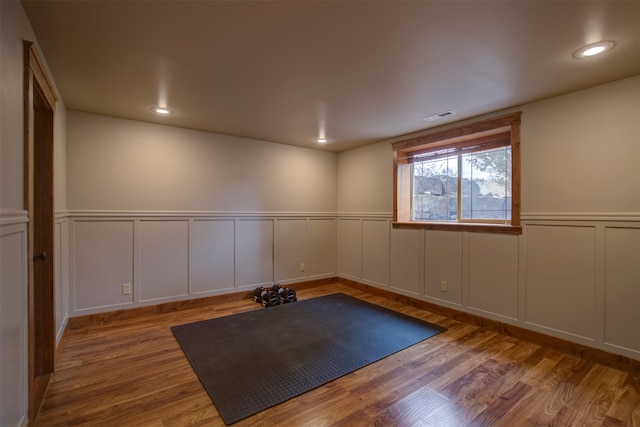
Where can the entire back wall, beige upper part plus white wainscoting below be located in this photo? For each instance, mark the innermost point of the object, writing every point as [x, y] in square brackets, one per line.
[180, 214]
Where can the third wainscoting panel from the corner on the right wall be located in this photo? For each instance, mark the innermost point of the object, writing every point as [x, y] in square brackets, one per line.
[406, 261]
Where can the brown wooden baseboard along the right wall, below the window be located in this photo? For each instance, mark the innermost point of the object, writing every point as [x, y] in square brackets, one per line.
[591, 354]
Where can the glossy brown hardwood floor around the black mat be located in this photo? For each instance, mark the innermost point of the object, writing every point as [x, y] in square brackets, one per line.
[133, 373]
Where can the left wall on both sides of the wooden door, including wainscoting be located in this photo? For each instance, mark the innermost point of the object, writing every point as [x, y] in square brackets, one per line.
[14, 28]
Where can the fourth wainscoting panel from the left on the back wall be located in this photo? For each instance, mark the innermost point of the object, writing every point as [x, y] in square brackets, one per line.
[254, 253]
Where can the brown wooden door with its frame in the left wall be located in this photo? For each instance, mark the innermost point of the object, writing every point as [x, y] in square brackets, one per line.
[39, 112]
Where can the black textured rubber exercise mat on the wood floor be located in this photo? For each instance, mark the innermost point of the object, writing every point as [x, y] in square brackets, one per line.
[251, 361]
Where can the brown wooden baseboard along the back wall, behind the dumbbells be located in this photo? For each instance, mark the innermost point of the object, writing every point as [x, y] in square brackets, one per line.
[169, 307]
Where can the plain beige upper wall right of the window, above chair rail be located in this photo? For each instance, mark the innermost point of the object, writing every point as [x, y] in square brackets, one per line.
[581, 152]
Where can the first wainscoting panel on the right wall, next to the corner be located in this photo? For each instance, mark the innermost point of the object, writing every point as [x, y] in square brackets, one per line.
[350, 248]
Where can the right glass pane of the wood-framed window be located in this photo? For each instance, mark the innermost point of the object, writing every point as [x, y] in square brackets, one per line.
[486, 185]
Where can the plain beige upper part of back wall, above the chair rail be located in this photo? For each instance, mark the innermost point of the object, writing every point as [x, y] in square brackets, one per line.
[116, 164]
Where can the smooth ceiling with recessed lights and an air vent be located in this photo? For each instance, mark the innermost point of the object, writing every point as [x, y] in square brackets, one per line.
[363, 71]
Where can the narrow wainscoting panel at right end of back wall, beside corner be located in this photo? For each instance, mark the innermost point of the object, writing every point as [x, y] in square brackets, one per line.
[321, 248]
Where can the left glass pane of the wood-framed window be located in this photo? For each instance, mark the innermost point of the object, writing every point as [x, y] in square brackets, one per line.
[435, 190]
